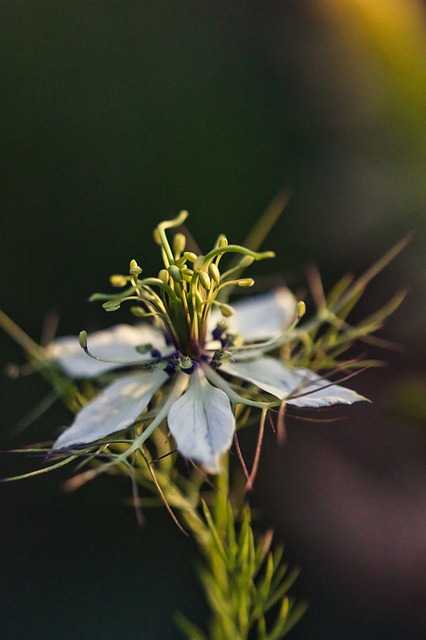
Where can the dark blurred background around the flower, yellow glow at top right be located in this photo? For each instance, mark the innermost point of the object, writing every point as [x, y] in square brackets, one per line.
[116, 115]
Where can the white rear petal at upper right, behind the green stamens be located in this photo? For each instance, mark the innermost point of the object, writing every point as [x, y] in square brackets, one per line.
[261, 317]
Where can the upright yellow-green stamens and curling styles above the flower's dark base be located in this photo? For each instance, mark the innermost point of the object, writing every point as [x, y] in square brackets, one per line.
[182, 297]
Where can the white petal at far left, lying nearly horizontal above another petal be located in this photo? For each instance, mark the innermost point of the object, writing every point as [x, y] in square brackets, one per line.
[116, 343]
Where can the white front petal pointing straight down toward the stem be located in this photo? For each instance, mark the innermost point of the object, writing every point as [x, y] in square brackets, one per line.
[202, 422]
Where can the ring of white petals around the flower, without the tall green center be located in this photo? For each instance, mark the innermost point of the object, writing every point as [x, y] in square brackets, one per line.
[199, 404]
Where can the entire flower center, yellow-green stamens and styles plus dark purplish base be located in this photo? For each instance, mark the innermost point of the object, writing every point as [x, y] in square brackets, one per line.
[186, 292]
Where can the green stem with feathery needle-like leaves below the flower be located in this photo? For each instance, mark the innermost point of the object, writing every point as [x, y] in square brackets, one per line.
[241, 577]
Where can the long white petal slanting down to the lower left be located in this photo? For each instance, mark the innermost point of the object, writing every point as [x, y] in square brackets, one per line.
[114, 409]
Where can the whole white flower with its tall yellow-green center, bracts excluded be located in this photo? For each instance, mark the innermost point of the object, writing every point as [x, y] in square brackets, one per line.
[201, 350]
